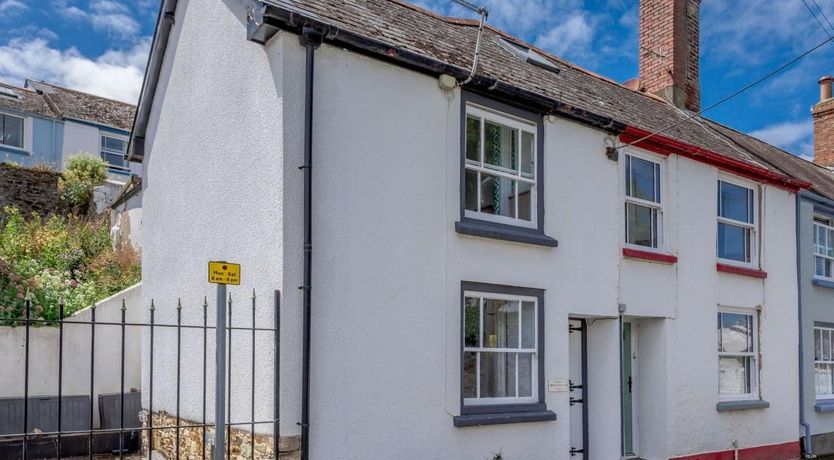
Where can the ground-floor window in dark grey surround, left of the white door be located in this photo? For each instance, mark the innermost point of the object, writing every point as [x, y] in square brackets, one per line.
[502, 344]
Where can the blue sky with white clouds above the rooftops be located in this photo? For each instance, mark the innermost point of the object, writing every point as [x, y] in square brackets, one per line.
[101, 46]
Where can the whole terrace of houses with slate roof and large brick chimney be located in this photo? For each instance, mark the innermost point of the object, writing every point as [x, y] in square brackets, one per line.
[500, 263]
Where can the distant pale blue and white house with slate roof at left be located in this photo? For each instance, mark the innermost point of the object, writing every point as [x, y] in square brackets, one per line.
[41, 123]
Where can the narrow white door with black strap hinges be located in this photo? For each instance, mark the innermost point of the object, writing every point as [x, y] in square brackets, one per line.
[577, 391]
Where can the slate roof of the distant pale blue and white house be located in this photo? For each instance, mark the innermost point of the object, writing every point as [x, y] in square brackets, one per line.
[56, 102]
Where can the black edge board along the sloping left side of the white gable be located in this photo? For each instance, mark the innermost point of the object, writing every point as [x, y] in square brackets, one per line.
[164, 24]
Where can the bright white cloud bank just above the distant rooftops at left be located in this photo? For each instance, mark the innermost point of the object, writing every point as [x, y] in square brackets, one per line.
[116, 74]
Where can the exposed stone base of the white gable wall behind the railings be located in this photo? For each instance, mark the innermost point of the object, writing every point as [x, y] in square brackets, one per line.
[191, 441]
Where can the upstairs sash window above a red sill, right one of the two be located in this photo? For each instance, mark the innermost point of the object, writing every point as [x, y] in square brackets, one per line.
[736, 223]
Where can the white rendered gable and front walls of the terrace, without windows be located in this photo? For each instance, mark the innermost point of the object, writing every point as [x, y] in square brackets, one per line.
[388, 264]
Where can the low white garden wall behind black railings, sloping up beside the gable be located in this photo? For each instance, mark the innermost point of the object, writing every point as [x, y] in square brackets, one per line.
[44, 345]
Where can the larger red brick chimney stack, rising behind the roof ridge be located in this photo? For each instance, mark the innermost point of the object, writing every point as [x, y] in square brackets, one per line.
[670, 50]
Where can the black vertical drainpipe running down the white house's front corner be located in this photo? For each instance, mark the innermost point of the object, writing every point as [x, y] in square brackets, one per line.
[310, 39]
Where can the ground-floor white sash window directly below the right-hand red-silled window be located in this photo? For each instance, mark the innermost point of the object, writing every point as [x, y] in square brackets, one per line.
[737, 354]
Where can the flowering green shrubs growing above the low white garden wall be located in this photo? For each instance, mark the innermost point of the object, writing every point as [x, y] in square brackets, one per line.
[59, 258]
